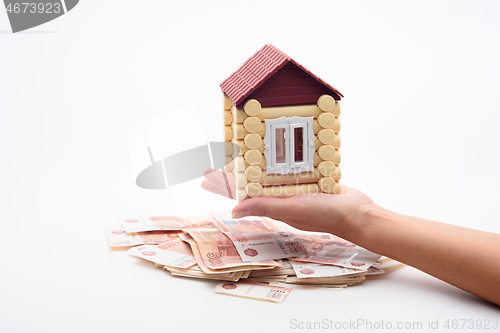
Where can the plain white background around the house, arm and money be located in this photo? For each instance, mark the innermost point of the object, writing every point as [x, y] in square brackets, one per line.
[419, 136]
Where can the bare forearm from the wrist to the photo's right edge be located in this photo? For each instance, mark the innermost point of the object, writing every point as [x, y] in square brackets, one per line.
[466, 258]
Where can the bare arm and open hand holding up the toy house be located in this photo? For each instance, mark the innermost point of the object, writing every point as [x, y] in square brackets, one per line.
[466, 258]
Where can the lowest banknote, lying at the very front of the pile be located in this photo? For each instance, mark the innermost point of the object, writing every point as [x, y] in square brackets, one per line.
[254, 290]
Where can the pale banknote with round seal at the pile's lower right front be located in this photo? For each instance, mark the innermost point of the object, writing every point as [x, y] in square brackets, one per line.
[307, 270]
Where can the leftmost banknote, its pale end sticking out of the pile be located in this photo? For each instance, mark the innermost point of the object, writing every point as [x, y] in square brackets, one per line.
[119, 238]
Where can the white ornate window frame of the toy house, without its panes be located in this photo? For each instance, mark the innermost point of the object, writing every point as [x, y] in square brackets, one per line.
[289, 124]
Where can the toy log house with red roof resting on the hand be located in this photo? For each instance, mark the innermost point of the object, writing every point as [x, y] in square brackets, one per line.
[285, 121]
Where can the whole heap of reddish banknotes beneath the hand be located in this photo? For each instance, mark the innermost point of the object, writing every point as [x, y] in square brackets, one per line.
[254, 257]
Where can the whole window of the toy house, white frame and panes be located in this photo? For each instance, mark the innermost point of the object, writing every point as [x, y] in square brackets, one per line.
[289, 145]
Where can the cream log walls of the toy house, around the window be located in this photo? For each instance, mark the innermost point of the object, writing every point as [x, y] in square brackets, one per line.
[246, 128]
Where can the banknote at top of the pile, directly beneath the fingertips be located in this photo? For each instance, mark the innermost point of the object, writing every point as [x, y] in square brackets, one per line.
[257, 224]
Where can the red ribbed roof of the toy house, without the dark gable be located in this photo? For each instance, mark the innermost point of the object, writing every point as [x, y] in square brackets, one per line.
[257, 69]
